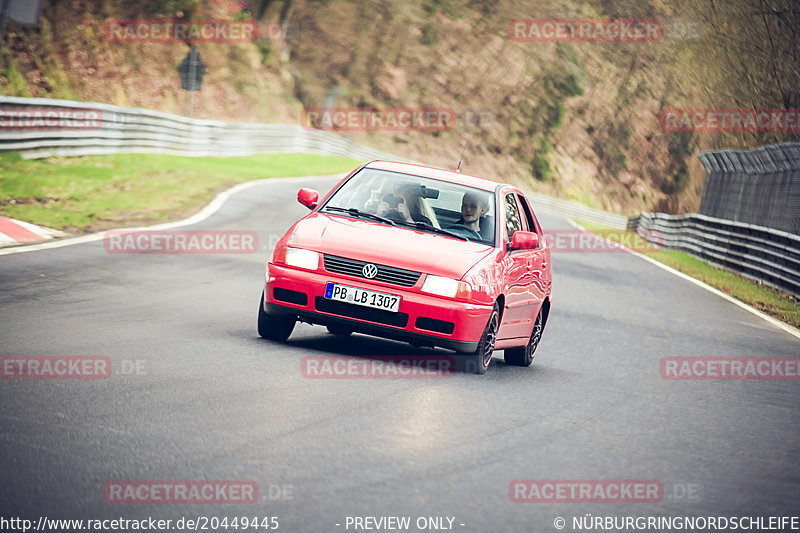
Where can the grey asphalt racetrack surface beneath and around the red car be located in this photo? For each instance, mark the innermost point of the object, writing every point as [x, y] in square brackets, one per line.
[213, 401]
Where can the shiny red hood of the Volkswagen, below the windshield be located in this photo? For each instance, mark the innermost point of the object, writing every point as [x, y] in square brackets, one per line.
[388, 245]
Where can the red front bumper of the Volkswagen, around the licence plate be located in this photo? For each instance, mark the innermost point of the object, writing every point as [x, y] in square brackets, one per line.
[422, 319]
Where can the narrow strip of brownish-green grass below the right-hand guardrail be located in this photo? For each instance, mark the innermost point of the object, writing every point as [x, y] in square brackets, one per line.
[773, 302]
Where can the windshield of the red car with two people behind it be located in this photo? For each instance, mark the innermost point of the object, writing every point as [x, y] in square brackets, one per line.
[419, 203]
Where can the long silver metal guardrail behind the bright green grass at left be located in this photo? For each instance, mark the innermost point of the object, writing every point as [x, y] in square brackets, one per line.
[132, 130]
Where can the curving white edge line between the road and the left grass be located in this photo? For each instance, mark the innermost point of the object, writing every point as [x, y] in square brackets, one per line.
[203, 214]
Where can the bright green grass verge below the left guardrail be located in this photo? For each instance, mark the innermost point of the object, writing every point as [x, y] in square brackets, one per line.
[81, 194]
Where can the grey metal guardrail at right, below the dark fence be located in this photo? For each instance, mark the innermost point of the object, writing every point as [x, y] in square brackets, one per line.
[763, 254]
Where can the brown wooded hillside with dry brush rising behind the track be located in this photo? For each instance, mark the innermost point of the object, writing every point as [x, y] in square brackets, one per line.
[576, 119]
